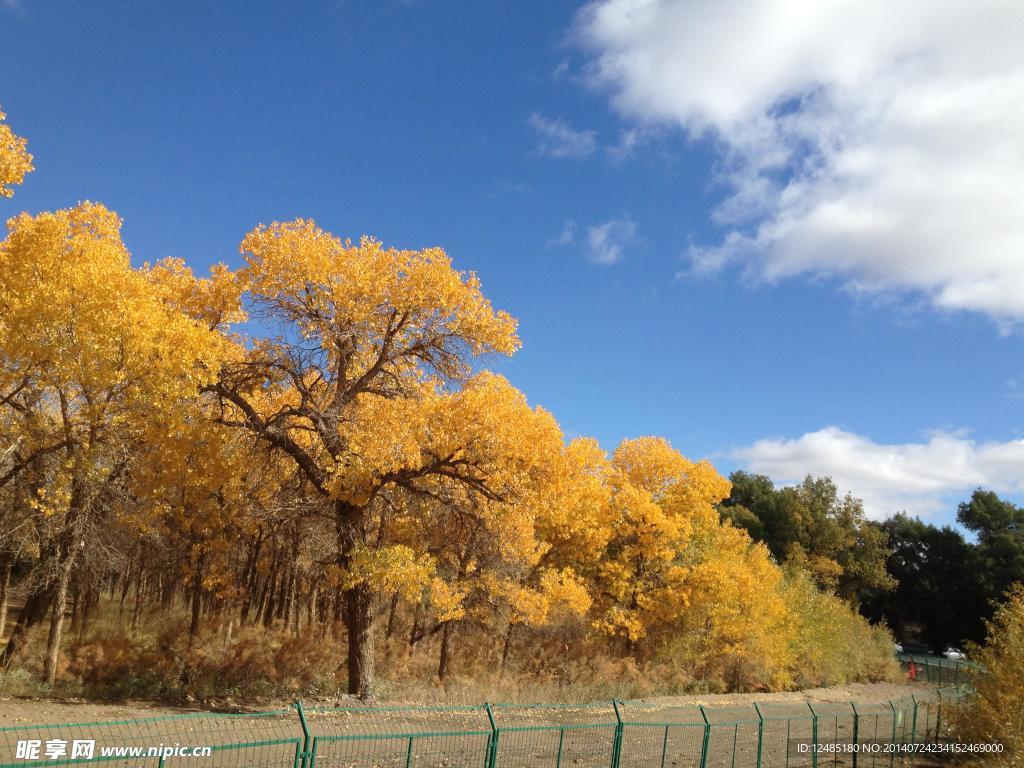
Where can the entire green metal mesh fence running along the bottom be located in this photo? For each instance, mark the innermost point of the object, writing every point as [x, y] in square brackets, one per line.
[614, 735]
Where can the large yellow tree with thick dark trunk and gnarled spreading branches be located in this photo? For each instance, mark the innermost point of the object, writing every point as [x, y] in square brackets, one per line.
[361, 332]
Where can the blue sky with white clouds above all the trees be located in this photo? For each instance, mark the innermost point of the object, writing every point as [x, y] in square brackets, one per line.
[620, 199]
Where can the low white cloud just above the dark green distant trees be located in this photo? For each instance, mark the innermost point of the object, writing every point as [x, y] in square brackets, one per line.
[922, 479]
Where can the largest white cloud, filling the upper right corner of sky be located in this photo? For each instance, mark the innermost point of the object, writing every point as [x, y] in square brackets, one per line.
[878, 142]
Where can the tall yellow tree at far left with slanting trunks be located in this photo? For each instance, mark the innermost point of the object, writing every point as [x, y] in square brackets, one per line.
[90, 351]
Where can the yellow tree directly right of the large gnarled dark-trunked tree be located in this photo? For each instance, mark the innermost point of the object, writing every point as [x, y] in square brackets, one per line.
[488, 541]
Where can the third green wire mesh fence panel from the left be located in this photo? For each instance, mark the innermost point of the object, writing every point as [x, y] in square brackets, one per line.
[579, 736]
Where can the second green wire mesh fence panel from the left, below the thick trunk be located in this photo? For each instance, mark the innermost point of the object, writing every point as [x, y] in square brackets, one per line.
[399, 737]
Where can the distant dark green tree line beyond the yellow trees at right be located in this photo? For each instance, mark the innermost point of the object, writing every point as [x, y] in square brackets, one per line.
[930, 584]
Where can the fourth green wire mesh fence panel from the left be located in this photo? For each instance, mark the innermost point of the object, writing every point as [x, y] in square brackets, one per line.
[661, 736]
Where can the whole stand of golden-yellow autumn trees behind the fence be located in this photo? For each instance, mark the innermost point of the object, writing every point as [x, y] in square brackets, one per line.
[309, 449]
